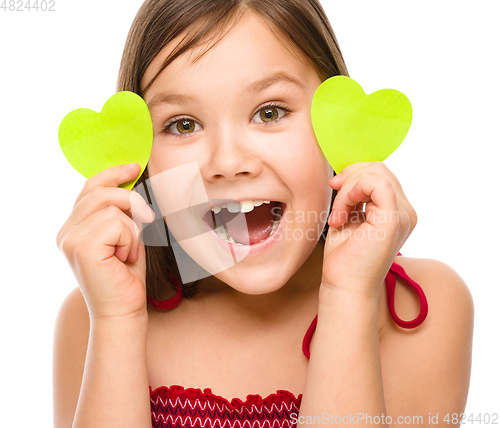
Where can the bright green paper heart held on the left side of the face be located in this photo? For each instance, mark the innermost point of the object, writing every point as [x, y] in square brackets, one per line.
[121, 133]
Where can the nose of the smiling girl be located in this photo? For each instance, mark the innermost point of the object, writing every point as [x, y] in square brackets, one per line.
[231, 155]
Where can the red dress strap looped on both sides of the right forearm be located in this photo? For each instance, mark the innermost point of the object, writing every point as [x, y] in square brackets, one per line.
[390, 283]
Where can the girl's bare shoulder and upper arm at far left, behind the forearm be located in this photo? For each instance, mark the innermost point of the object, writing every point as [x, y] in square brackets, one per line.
[71, 335]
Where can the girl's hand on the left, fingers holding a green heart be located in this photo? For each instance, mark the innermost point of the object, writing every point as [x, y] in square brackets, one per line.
[99, 240]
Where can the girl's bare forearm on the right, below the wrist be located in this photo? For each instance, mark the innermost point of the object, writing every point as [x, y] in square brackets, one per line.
[344, 377]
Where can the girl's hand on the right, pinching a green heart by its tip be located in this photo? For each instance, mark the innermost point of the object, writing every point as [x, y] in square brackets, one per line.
[362, 242]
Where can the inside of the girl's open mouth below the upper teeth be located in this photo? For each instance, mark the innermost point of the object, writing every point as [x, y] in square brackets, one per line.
[259, 224]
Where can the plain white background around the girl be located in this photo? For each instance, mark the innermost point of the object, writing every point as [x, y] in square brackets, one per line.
[442, 54]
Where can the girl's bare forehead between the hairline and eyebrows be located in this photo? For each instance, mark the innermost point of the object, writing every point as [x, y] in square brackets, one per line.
[249, 48]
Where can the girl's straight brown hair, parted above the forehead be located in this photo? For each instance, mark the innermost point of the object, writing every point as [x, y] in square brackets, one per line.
[300, 24]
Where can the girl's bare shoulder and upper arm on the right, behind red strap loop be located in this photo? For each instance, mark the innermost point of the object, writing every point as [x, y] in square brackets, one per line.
[436, 355]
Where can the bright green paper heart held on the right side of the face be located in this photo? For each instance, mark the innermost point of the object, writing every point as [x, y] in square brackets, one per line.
[351, 126]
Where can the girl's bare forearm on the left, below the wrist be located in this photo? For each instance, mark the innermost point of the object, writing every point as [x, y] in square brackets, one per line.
[115, 387]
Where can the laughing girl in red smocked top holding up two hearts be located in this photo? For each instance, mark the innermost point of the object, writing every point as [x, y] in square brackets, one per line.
[305, 326]
